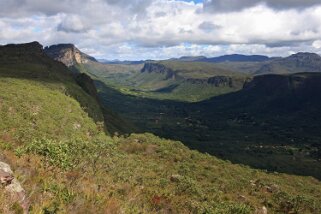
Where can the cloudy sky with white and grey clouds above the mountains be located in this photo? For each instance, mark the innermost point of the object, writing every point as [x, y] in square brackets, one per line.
[160, 29]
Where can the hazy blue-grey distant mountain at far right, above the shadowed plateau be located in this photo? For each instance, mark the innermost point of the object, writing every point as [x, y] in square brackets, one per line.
[296, 63]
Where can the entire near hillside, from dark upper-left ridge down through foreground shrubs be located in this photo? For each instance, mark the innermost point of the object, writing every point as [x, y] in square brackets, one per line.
[67, 164]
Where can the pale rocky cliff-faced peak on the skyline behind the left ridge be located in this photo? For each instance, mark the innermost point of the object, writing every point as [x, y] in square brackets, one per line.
[68, 54]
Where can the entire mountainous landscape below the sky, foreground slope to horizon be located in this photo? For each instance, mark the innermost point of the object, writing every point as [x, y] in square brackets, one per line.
[68, 122]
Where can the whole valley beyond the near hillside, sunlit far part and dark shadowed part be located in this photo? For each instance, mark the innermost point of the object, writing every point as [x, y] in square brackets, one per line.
[265, 121]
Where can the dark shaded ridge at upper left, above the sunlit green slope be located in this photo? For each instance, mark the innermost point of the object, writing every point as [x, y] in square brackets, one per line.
[28, 61]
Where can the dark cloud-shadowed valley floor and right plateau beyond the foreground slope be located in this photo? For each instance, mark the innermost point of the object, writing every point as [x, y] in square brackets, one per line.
[274, 116]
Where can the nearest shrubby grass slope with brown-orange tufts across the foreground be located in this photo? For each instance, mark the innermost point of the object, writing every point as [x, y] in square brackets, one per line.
[146, 174]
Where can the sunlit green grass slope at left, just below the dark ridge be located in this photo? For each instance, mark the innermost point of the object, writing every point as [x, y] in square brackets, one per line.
[31, 109]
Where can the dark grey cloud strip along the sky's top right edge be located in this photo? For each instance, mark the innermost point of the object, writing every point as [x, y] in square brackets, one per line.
[235, 5]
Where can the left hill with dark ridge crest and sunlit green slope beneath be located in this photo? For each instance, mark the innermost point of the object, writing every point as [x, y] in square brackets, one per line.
[47, 101]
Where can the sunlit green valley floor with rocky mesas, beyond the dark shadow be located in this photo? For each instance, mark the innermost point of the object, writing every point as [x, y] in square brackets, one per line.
[167, 80]
